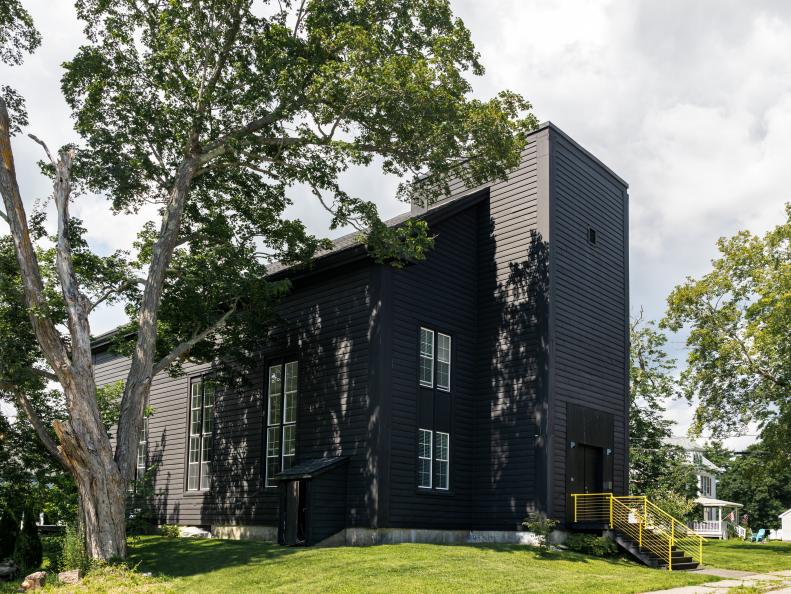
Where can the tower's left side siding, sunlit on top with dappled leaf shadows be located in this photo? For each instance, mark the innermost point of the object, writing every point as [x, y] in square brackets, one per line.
[511, 292]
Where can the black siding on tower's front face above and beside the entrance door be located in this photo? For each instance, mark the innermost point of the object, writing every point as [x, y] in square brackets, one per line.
[589, 301]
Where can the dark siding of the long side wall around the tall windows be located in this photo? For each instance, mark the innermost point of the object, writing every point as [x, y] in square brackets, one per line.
[325, 326]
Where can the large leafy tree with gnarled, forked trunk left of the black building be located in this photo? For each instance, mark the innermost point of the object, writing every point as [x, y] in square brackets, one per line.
[214, 110]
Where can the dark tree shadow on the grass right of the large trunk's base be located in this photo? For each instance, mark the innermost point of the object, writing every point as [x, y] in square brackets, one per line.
[180, 557]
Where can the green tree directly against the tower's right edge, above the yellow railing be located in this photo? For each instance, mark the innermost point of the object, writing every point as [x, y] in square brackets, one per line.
[656, 467]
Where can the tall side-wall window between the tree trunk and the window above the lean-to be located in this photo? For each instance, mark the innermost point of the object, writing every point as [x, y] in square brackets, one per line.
[201, 427]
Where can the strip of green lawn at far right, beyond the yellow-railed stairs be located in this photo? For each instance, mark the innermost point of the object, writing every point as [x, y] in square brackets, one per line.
[748, 556]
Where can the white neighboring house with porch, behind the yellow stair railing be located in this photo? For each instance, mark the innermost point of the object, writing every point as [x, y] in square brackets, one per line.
[717, 513]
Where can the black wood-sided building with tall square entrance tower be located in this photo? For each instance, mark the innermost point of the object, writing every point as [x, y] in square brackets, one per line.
[453, 395]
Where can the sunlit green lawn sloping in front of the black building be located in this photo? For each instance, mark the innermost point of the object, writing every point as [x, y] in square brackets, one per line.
[216, 565]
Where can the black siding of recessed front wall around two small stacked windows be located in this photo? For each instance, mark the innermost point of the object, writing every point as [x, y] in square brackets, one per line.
[441, 294]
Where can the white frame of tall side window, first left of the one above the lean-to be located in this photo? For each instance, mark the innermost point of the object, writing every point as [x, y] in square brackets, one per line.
[203, 437]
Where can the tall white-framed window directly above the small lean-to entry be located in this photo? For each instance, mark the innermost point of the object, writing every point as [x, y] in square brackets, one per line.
[281, 432]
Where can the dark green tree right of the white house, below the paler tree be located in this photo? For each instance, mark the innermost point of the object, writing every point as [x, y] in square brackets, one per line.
[761, 481]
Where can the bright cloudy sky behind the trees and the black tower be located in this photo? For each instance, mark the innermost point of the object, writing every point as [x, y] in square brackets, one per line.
[690, 102]
